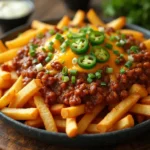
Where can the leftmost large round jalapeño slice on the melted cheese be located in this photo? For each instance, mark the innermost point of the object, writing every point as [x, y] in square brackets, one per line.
[79, 46]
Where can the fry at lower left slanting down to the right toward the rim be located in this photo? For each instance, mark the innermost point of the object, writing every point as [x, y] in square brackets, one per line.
[45, 114]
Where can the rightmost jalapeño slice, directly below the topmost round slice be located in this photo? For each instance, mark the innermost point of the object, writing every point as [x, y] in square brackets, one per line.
[101, 54]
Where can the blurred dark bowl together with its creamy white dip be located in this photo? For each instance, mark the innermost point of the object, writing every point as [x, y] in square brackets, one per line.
[14, 13]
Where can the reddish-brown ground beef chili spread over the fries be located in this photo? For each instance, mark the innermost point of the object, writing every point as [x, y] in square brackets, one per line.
[56, 91]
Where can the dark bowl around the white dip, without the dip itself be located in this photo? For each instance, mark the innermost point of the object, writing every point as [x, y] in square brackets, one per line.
[8, 24]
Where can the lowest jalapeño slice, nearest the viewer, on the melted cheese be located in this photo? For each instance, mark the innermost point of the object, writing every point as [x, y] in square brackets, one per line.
[87, 61]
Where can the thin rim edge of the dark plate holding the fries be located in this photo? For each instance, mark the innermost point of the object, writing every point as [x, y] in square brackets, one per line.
[37, 131]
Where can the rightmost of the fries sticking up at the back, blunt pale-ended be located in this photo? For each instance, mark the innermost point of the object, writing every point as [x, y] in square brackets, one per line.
[117, 23]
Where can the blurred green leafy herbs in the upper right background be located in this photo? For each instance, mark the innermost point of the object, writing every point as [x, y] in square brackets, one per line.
[136, 11]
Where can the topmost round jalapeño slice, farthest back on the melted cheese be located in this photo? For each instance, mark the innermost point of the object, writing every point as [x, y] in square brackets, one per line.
[96, 37]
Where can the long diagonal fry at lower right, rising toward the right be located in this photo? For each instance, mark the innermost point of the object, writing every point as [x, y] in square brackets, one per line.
[118, 112]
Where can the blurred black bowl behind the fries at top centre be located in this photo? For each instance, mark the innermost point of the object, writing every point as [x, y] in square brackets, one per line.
[77, 4]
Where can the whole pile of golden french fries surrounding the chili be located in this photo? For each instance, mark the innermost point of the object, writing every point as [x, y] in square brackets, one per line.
[25, 102]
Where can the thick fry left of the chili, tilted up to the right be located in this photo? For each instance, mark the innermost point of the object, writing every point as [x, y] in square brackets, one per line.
[26, 93]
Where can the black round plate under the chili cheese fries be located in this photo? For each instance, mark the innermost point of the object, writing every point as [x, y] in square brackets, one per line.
[81, 140]
